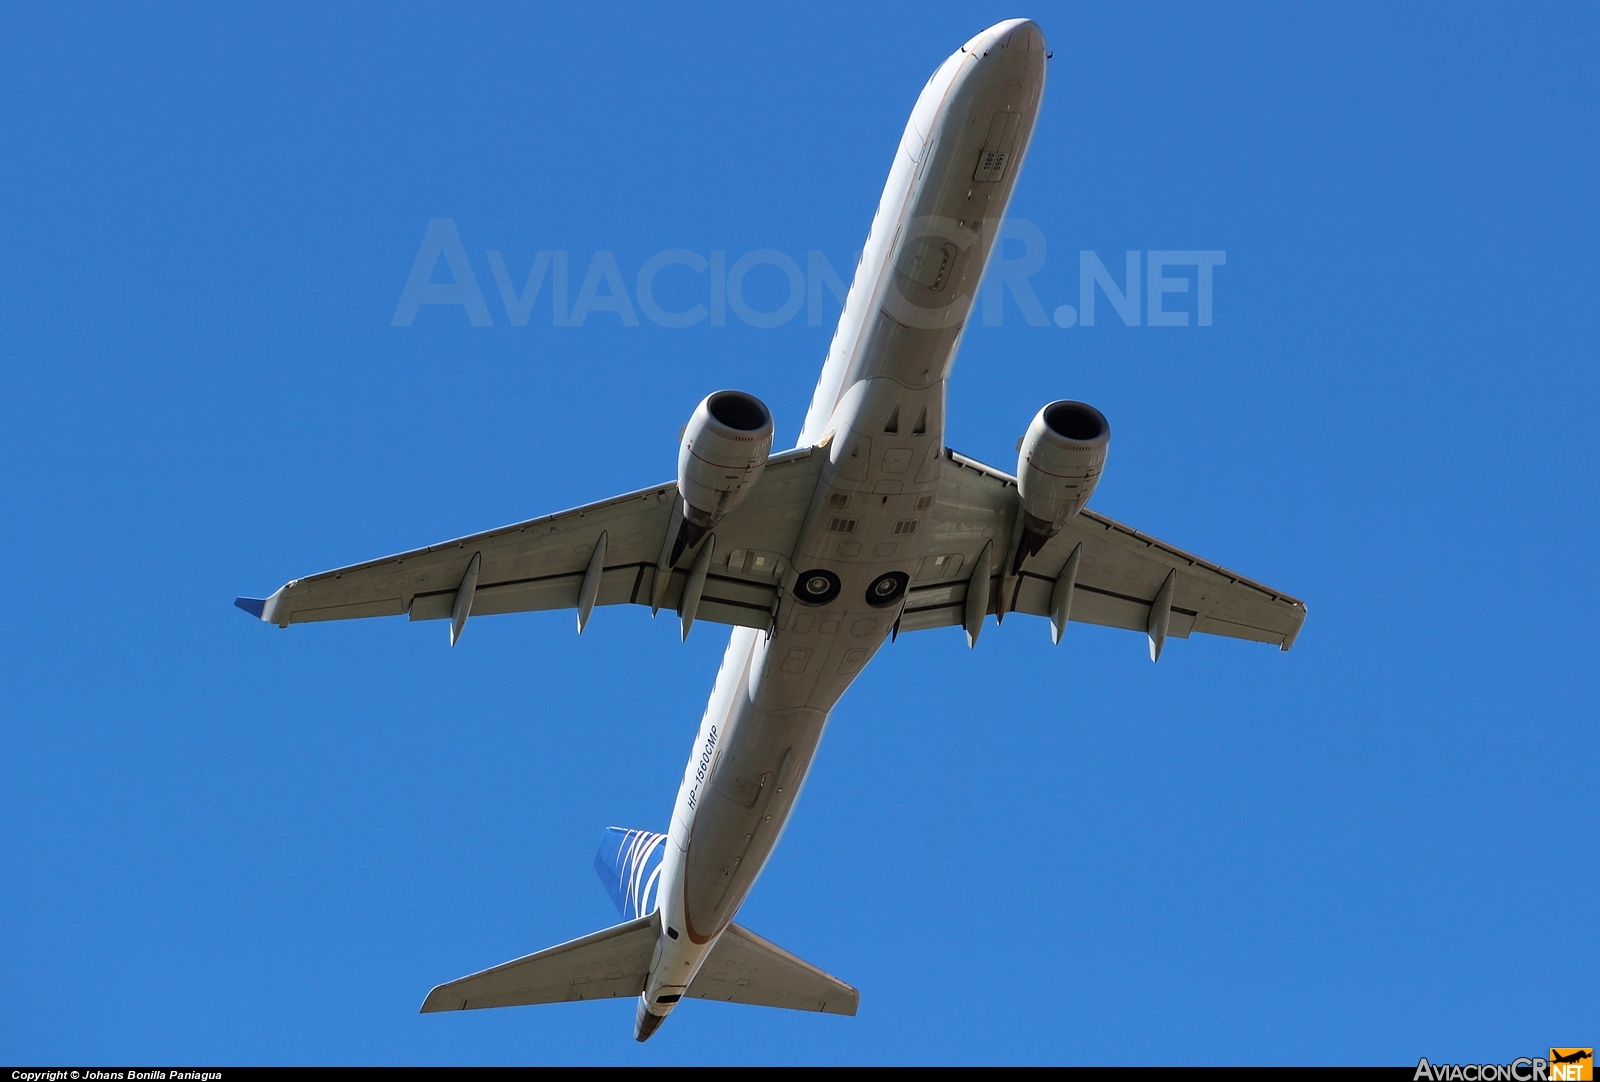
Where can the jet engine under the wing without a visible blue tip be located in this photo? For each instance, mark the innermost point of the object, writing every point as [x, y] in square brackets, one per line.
[1057, 470]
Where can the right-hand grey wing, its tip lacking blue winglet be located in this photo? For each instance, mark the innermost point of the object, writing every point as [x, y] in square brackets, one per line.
[1122, 575]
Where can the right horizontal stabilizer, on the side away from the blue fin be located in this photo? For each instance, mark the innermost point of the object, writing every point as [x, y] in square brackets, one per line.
[746, 969]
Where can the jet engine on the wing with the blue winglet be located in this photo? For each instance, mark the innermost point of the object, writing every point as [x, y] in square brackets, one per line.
[724, 452]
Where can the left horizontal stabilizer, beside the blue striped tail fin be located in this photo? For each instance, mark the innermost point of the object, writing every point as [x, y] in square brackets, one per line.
[602, 966]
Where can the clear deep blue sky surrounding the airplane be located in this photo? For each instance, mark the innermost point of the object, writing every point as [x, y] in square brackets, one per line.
[233, 844]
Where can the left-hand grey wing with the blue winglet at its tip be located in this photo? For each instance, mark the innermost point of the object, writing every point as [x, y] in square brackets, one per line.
[540, 564]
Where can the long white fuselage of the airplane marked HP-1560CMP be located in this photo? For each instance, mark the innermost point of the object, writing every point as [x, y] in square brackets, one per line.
[879, 417]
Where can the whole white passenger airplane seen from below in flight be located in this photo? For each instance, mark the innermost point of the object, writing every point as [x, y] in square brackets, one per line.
[871, 527]
